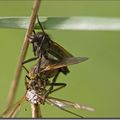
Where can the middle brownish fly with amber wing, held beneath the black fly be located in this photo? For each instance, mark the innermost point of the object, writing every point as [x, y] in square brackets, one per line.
[50, 69]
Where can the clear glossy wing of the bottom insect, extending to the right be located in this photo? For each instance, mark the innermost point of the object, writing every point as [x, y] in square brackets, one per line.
[67, 104]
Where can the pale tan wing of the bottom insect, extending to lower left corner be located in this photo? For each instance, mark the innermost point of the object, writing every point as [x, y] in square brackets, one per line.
[12, 112]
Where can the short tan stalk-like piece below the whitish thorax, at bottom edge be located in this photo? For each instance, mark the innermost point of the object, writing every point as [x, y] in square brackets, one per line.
[36, 113]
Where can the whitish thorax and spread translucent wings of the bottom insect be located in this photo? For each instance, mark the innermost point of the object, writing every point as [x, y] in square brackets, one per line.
[34, 98]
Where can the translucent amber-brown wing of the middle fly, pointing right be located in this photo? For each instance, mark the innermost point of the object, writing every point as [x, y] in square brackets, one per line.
[63, 63]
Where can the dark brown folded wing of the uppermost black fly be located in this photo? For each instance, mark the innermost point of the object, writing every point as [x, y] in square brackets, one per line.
[59, 51]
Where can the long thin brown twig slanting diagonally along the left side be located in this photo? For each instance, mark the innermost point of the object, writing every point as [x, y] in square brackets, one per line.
[23, 52]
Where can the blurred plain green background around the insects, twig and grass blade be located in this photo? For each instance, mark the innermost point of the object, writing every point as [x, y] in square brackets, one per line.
[95, 82]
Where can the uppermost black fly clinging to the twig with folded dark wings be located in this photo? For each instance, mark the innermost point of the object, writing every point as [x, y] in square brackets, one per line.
[44, 46]
